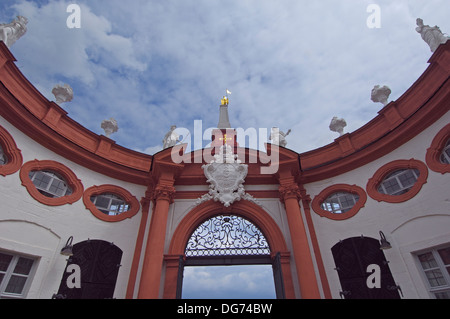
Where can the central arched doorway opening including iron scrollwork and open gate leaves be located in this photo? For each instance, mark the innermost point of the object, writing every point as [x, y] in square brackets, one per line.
[228, 257]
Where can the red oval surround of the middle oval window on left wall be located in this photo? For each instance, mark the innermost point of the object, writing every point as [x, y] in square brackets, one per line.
[65, 172]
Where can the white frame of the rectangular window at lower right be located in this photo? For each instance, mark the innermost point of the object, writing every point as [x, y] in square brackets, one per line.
[440, 265]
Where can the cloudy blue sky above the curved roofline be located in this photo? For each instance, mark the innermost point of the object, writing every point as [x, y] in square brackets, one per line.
[293, 64]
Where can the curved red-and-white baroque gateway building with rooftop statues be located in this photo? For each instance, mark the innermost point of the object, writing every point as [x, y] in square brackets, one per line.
[366, 216]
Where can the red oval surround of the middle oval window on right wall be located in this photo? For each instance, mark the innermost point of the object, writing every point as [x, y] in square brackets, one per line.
[381, 173]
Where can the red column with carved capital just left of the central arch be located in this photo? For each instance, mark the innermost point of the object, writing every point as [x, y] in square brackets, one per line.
[154, 252]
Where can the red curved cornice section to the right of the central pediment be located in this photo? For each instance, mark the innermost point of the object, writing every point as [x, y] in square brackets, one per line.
[397, 123]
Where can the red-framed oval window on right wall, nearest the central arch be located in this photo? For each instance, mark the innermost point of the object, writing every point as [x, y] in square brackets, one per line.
[339, 202]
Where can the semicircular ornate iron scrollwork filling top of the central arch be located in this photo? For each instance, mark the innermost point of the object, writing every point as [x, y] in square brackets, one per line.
[227, 235]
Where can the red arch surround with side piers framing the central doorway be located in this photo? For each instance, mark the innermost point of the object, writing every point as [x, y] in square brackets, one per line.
[245, 209]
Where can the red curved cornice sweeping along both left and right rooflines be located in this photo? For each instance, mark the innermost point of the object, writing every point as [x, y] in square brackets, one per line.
[427, 100]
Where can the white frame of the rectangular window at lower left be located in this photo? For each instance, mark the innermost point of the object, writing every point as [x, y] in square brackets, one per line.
[10, 272]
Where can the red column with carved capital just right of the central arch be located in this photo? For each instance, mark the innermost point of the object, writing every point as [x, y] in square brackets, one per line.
[290, 195]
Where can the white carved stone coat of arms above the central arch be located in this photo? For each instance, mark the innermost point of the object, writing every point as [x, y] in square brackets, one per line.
[226, 175]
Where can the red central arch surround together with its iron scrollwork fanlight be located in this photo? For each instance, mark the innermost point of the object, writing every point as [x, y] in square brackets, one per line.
[270, 248]
